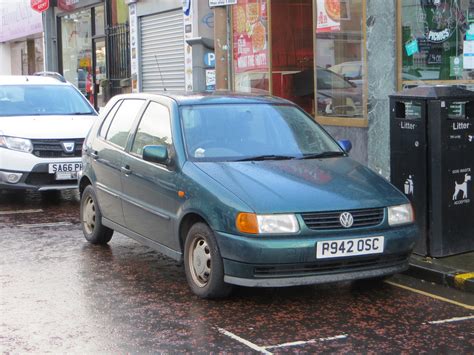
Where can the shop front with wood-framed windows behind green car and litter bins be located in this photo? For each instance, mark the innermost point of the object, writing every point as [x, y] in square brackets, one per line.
[340, 59]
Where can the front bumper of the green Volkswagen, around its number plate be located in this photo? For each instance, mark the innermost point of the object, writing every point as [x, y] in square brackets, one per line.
[291, 261]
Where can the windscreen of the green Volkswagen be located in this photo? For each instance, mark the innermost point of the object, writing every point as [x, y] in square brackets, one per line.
[232, 132]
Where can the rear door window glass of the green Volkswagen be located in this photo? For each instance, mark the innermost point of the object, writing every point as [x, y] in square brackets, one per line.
[123, 121]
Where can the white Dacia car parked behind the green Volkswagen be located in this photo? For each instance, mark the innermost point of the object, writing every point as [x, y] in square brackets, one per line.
[43, 123]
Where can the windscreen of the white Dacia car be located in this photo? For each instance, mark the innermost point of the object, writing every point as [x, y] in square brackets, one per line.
[39, 100]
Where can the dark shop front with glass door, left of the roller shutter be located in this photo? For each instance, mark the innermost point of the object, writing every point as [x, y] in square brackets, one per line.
[93, 47]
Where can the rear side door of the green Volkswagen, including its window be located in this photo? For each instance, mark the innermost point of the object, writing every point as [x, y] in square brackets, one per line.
[107, 154]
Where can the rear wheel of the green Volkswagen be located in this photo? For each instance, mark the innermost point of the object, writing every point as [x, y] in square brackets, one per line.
[91, 219]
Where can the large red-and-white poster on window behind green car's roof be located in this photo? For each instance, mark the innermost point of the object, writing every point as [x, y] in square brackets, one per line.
[250, 35]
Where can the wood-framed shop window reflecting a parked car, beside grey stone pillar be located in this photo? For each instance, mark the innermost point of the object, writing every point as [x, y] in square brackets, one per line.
[340, 62]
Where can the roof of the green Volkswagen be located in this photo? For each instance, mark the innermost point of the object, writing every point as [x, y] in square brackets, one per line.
[209, 98]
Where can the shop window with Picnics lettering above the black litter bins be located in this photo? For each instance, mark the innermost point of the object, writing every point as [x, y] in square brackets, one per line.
[436, 42]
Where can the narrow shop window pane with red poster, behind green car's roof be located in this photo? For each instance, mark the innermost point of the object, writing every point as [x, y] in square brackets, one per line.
[251, 56]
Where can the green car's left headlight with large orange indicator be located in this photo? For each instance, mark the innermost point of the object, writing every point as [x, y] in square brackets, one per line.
[251, 223]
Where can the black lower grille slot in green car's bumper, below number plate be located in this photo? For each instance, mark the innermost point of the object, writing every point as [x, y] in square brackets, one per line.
[290, 270]
